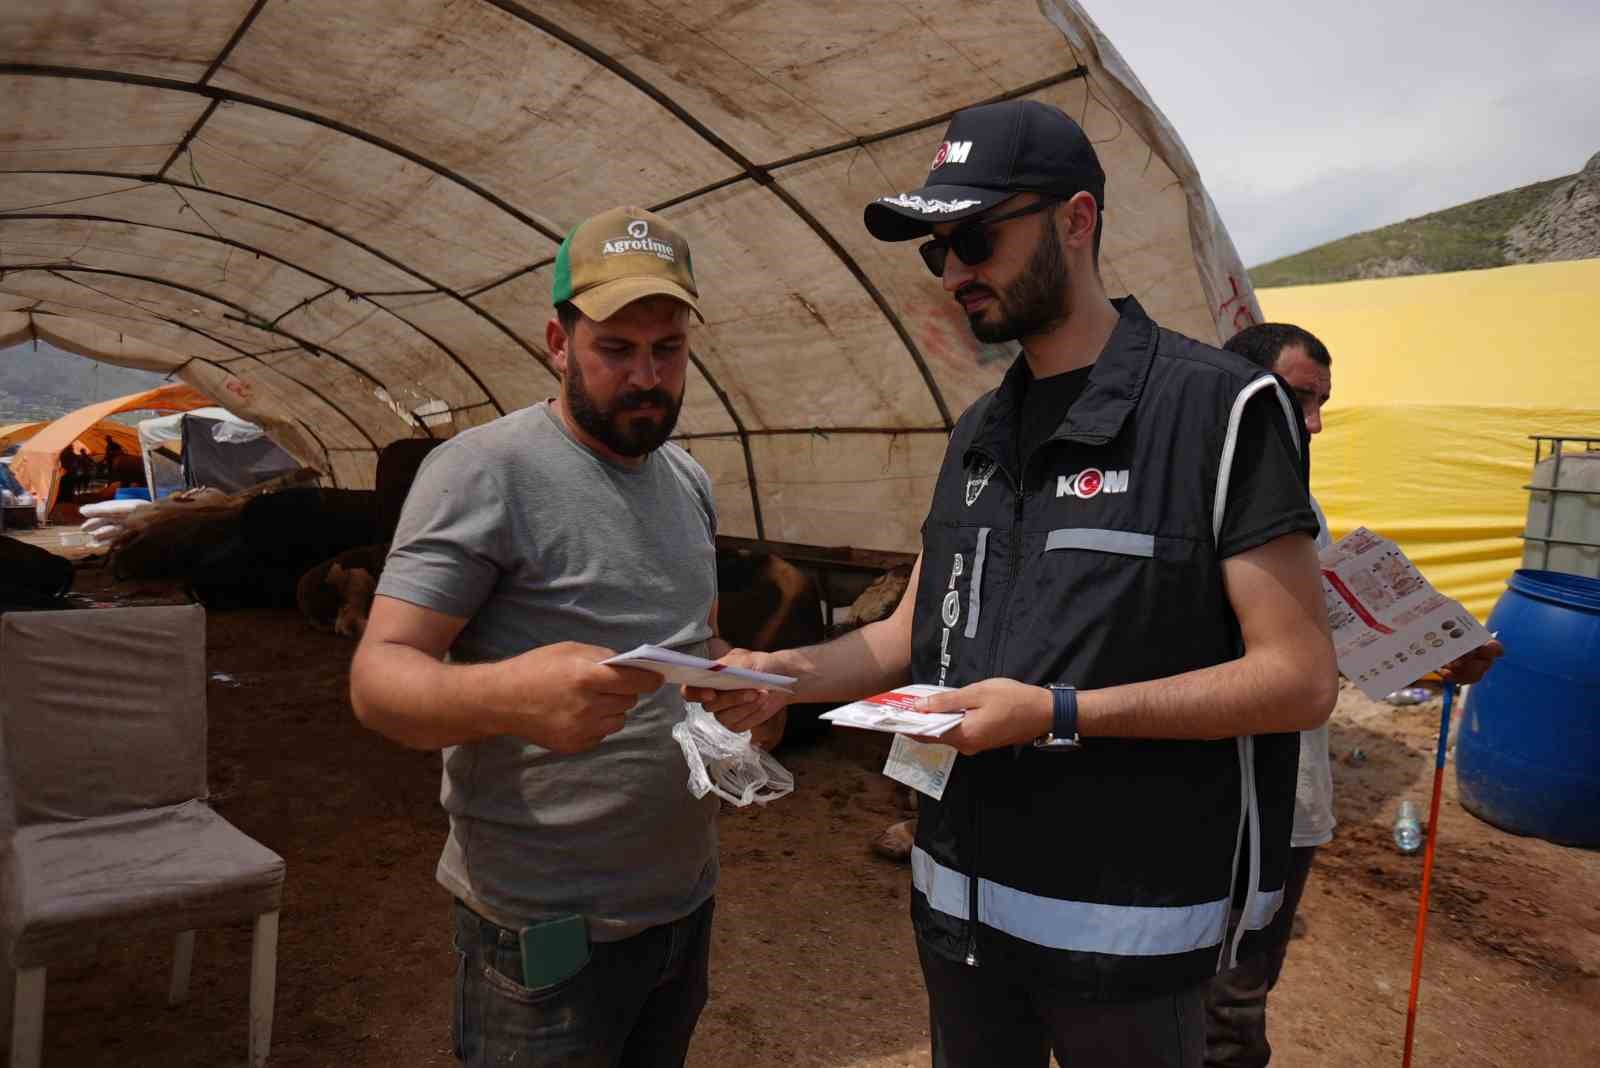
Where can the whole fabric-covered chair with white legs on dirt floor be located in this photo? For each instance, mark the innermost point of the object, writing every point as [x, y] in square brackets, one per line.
[105, 829]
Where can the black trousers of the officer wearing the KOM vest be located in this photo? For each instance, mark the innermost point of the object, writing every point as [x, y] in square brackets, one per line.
[1004, 1018]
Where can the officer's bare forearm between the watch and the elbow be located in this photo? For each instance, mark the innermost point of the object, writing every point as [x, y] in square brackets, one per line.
[1255, 695]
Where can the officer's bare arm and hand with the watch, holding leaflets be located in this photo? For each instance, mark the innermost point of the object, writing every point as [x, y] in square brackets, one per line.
[1286, 682]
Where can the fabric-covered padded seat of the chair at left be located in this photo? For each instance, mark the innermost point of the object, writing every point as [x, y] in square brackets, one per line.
[146, 872]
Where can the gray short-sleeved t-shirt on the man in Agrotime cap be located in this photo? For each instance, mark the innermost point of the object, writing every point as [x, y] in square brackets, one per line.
[534, 540]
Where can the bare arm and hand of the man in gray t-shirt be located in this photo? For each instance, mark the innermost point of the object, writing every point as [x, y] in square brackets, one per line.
[556, 696]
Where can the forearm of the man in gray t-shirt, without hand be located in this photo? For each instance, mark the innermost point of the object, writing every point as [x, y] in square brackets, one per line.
[422, 703]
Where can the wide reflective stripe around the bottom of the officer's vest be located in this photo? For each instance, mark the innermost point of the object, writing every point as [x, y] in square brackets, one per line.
[1084, 927]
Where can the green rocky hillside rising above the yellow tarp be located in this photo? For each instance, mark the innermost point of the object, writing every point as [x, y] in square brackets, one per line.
[1554, 220]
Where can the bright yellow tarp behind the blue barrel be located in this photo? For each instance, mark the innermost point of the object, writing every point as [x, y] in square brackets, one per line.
[1438, 383]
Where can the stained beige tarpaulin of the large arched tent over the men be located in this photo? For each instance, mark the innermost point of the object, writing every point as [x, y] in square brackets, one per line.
[340, 218]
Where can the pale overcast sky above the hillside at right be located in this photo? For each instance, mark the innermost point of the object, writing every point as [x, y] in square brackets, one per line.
[1316, 121]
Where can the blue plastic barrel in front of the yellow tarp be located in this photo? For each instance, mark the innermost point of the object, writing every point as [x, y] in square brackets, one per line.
[1529, 759]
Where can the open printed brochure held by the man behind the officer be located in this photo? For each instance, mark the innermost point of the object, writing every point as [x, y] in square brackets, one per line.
[1390, 624]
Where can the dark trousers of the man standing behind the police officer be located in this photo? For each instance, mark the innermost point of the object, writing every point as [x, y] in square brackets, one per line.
[1238, 1000]
